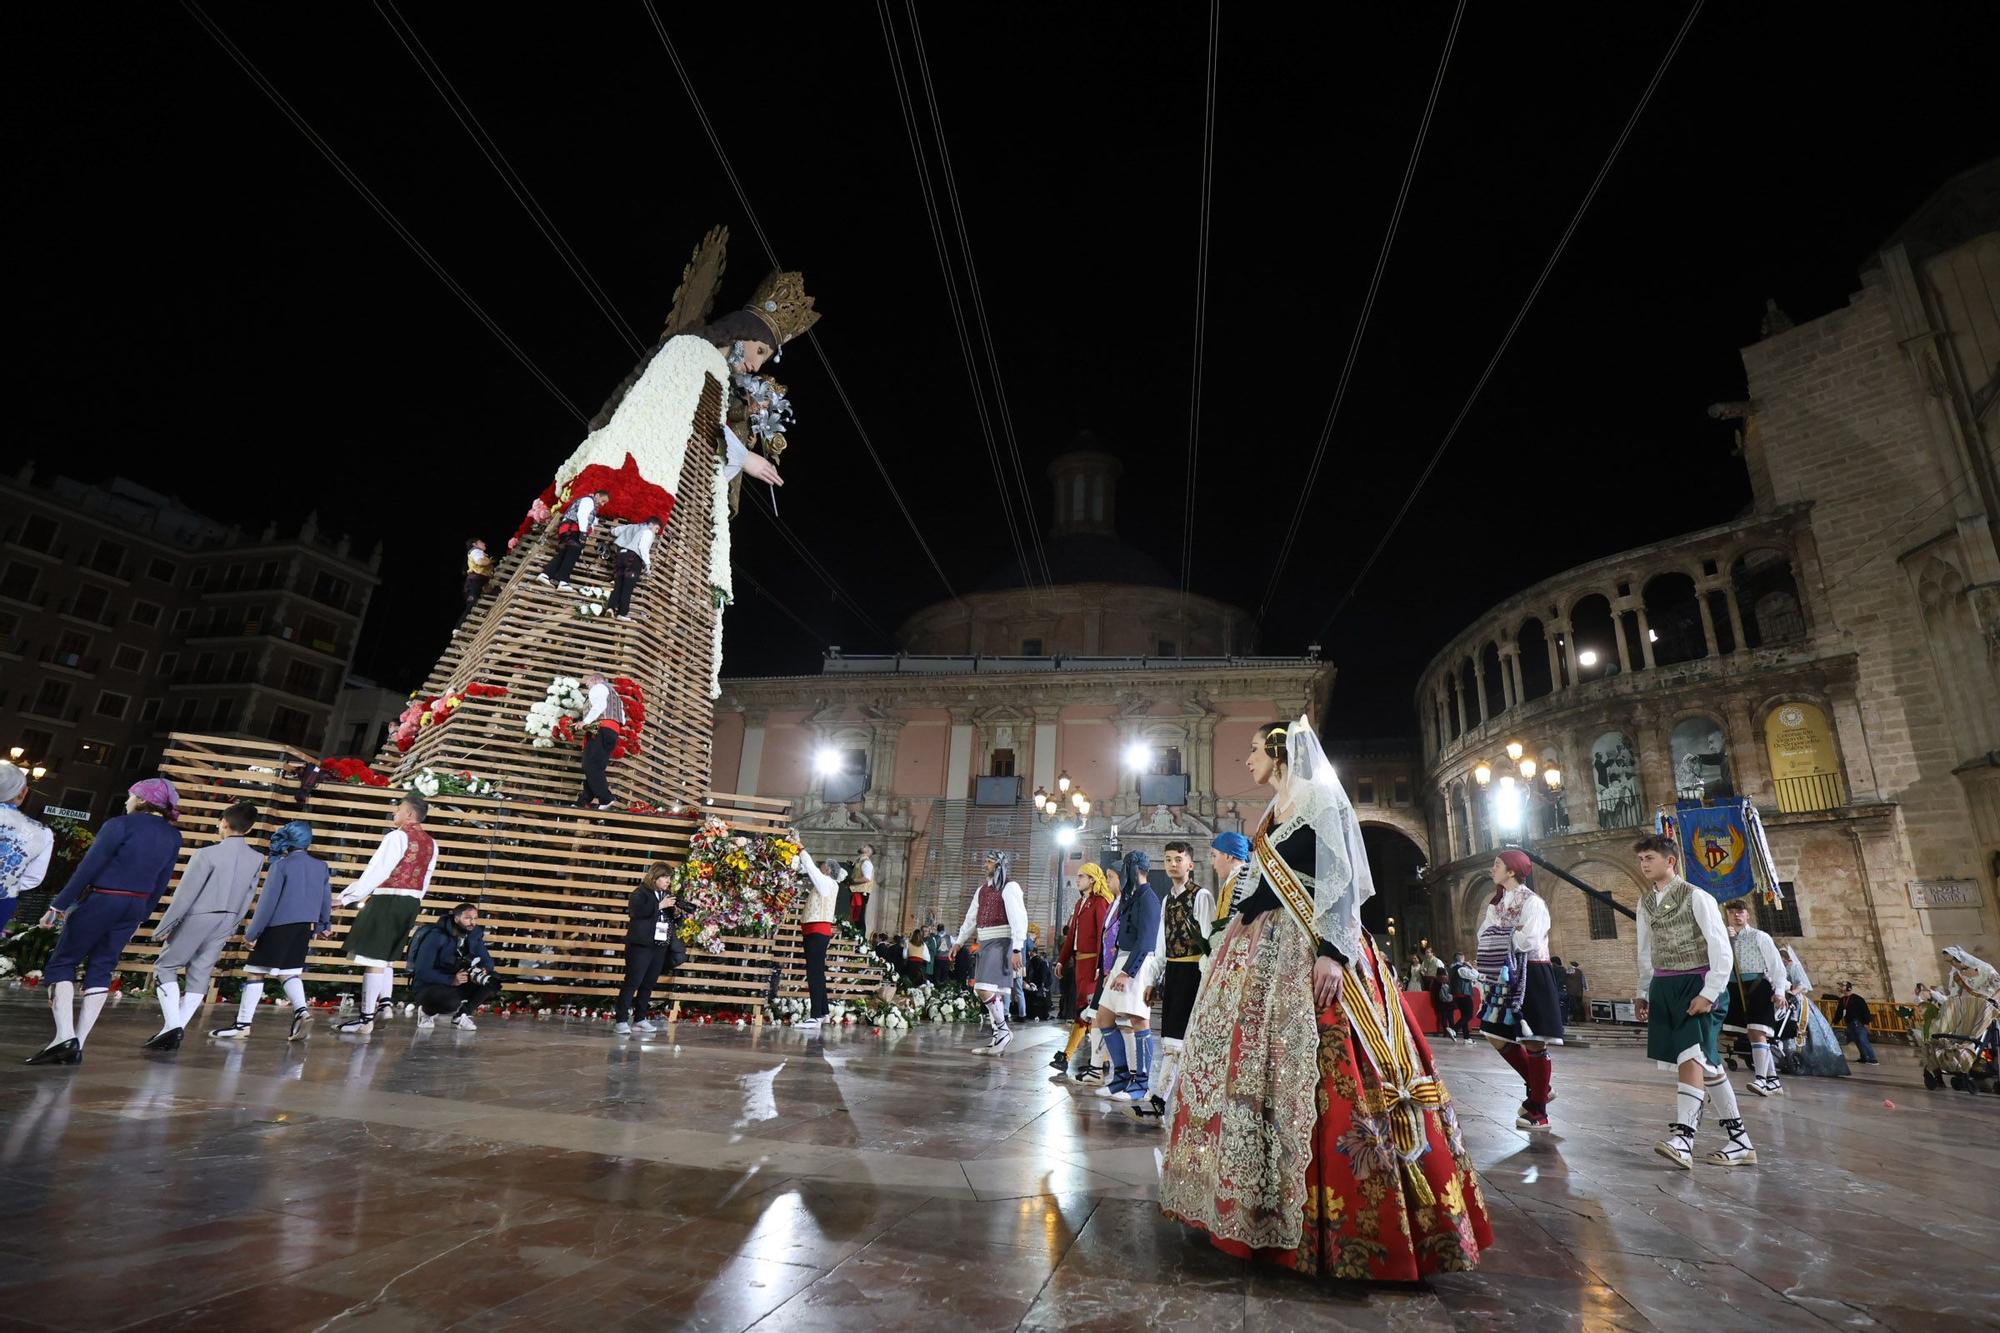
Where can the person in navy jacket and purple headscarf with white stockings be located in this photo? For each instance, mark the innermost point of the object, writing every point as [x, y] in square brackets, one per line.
[111, 894]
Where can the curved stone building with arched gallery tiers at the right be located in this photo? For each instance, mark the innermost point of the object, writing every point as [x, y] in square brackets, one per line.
[1835, 653]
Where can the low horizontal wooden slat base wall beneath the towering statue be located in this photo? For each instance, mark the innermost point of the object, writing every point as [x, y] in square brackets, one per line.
[551, 882]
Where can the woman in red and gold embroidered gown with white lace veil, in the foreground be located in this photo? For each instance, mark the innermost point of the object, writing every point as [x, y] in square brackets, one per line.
[1311, 1128]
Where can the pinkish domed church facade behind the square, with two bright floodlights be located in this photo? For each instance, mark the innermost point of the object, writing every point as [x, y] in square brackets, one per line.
[1105, 676]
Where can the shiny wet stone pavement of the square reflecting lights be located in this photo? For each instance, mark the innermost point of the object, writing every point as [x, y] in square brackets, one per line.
[549, 1176]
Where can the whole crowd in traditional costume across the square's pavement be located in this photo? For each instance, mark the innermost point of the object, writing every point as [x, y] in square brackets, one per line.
[1299, 1100]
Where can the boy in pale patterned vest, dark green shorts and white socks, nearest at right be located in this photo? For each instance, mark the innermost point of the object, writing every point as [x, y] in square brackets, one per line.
[1683, 974]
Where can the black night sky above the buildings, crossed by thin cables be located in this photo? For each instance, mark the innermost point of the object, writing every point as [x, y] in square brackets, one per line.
[209, 309]
